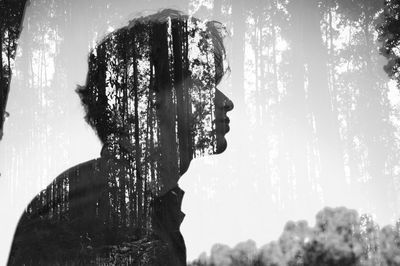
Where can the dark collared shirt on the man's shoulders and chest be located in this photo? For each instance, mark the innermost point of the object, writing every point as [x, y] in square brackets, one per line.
[77, 221]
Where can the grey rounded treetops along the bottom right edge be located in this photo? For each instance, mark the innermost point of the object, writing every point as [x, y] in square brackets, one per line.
[340, 237]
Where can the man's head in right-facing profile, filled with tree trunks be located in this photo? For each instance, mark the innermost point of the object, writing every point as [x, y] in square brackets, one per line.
[151, 90]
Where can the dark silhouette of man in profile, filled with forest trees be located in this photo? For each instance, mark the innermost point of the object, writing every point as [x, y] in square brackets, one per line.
[151, 97]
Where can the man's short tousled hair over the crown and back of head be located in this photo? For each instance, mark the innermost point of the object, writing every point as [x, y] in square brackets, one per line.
[134, 38]
